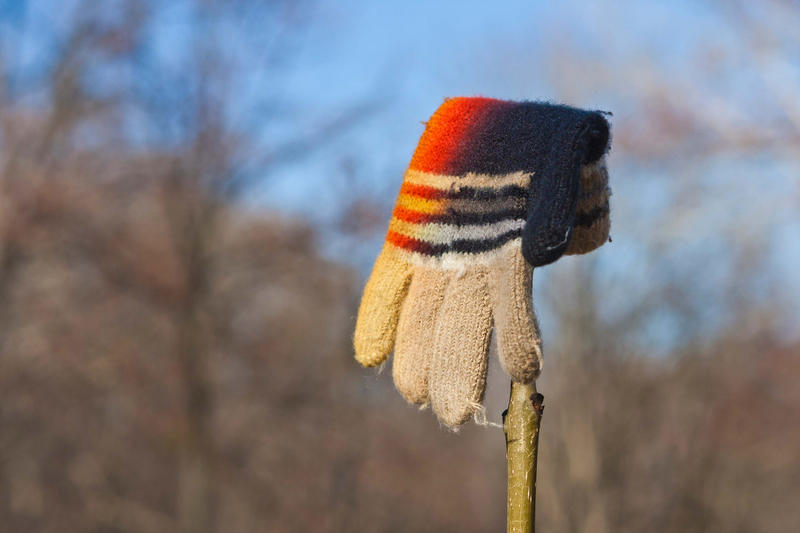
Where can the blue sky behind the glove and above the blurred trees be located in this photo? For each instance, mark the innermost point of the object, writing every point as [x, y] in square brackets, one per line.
[405, 57]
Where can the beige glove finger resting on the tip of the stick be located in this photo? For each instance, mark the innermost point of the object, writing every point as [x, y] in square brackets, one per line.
[516, 330]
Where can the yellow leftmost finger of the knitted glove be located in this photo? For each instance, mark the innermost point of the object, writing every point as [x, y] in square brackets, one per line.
[380, 308]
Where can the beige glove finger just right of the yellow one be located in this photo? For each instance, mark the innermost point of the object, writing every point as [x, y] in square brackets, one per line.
[415, 334]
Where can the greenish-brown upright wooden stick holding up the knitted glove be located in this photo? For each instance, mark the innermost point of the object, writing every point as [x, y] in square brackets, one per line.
[521, 425]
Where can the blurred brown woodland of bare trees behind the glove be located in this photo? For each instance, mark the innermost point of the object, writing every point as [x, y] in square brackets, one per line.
[173, 358]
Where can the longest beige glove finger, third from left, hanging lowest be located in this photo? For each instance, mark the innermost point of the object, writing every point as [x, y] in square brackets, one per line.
[460, 347]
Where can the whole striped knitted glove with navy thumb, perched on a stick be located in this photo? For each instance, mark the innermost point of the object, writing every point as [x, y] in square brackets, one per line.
[494, 189]
